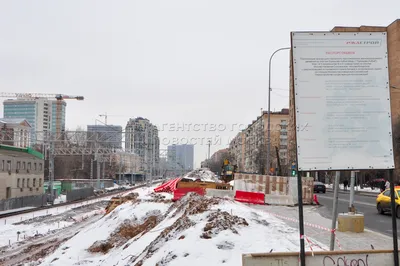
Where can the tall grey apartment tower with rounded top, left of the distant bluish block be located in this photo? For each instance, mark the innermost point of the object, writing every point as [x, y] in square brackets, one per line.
[141, 138]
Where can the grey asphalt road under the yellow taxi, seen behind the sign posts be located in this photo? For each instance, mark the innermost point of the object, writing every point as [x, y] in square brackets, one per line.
[363, 204]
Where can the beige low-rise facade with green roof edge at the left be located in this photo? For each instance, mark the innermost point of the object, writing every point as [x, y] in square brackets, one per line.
[21, 172]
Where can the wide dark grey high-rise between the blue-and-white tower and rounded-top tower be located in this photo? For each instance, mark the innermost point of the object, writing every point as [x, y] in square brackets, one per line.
[108, 136]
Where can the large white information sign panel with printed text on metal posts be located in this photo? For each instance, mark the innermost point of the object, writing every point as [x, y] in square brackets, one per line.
[342, 101]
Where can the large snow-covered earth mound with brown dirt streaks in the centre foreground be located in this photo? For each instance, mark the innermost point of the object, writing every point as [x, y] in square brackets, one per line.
[151, 230]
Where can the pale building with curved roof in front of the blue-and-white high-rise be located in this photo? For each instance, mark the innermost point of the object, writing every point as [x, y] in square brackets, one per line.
[15, 132]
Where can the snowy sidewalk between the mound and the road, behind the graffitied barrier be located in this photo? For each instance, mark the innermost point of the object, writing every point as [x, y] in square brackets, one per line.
[317, 227]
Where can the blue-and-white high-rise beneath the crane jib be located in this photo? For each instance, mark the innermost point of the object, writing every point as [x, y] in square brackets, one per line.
[41, 114]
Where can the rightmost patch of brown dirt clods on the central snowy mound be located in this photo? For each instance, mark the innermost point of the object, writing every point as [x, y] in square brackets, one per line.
[221, 220]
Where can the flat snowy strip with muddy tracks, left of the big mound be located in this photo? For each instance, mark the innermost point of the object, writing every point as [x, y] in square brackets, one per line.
[40, 234]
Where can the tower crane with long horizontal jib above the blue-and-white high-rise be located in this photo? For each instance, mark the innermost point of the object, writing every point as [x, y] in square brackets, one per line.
[49, 96]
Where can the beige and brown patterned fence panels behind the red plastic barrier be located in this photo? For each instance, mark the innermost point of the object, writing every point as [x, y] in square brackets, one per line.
[281, 190]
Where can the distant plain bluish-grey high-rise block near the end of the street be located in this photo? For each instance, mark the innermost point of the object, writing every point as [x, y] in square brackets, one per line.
[180, 157]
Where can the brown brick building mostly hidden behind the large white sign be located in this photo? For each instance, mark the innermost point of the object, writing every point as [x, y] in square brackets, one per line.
[393, 40]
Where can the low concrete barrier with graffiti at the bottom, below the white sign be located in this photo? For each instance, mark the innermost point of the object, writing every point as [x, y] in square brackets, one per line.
[321, 258]
